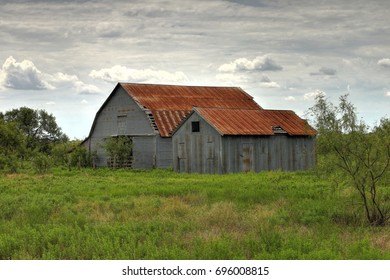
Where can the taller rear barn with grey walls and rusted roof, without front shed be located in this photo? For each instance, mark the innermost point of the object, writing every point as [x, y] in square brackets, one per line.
[148, 115]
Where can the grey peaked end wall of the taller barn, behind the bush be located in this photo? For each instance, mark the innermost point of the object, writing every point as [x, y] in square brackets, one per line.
[122, 116]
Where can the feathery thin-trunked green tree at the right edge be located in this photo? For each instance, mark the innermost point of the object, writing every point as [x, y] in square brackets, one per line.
[345, 143]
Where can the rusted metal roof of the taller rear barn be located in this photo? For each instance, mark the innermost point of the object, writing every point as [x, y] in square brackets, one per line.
[170, 104]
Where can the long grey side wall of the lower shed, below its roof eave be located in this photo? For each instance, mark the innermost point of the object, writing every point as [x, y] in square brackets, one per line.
[259, 153]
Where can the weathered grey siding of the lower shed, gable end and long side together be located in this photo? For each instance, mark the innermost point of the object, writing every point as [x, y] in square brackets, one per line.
[208, 152]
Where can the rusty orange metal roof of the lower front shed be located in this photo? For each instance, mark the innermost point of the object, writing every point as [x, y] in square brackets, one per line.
[255, 122]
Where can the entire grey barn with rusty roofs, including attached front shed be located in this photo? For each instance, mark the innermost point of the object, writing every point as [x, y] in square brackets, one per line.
[200, 129]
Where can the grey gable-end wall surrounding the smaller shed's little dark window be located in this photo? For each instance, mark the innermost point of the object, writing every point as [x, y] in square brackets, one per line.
[196, 152]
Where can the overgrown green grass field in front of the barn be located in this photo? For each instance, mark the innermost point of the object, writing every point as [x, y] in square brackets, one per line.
[106, 214]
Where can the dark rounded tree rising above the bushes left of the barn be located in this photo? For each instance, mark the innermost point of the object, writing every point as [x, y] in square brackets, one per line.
[40, 127]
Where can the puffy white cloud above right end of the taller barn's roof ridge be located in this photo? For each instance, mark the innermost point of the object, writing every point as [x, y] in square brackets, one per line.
[260, 63]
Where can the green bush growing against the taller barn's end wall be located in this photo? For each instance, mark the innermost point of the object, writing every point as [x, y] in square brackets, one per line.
[119, 149]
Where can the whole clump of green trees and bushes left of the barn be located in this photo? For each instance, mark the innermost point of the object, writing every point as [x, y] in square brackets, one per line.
[32, 138]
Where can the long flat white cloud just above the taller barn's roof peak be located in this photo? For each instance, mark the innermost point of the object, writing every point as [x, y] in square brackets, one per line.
[123, 73]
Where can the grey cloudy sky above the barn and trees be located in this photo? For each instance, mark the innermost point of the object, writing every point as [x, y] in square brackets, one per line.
[66, 56]
